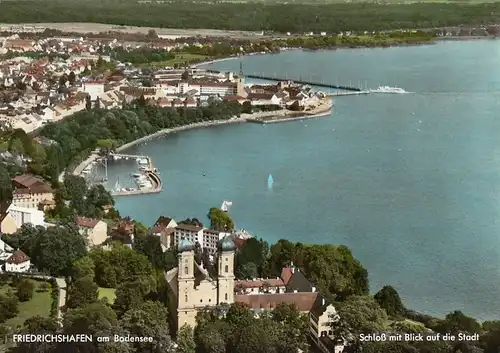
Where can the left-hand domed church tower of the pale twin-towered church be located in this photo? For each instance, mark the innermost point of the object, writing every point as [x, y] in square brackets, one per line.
[186, 312]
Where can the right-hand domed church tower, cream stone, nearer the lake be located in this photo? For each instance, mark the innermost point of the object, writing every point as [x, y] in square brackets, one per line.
[225, 288]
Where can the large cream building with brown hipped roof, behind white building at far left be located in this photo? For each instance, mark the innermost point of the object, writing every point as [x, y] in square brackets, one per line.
[30, 191]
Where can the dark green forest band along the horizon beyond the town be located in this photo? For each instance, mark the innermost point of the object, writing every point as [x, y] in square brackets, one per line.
[255, 16]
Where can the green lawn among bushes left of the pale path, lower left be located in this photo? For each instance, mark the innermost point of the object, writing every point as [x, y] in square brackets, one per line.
[38, 305]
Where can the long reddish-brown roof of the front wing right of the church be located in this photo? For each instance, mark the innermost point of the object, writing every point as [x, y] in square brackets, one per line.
[303, 301]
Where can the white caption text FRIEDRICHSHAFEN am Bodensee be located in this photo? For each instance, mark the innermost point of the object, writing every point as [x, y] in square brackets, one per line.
[80, 338]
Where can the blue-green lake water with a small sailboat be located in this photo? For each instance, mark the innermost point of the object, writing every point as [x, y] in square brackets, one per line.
[411, 183]
